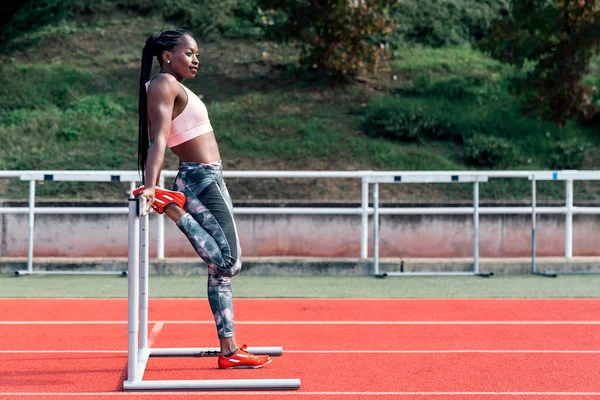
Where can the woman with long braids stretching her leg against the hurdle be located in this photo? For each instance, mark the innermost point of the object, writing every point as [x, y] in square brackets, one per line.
[171, 115]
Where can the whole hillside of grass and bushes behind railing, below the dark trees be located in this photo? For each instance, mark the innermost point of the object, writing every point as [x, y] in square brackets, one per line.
[68, 100]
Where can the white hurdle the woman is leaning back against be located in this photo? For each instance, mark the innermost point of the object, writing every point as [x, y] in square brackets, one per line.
[139, 351]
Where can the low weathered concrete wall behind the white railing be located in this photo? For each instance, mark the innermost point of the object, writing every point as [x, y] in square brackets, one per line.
[311, 236]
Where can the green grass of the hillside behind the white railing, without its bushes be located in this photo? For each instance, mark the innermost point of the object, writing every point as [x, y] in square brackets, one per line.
[68, 100]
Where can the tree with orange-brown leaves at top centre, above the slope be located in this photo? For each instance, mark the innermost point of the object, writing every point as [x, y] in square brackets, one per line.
[342, 37]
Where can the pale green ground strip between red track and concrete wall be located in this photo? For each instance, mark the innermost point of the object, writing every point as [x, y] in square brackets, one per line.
[509, 286]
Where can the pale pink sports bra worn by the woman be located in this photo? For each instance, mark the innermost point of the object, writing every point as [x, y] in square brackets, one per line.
[192, 122]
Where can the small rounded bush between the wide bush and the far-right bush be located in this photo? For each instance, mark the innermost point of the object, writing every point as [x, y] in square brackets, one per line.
[488, 151]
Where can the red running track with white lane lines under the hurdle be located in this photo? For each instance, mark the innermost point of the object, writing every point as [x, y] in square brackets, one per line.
[340, 349]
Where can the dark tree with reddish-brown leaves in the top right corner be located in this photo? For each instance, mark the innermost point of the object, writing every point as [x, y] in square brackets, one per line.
[559, 37]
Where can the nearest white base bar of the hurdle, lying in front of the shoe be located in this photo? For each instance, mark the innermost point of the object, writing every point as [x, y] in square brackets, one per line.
[220, 384]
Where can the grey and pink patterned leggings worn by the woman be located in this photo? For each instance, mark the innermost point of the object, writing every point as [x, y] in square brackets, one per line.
[210, 228]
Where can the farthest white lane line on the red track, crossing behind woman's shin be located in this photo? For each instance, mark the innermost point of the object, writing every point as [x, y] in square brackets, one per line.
[204, 322]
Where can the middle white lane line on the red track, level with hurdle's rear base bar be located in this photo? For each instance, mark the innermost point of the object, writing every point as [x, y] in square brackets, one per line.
[334, 351]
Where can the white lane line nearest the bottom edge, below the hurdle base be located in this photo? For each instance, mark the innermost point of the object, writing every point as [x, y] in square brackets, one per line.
[296, 393]
